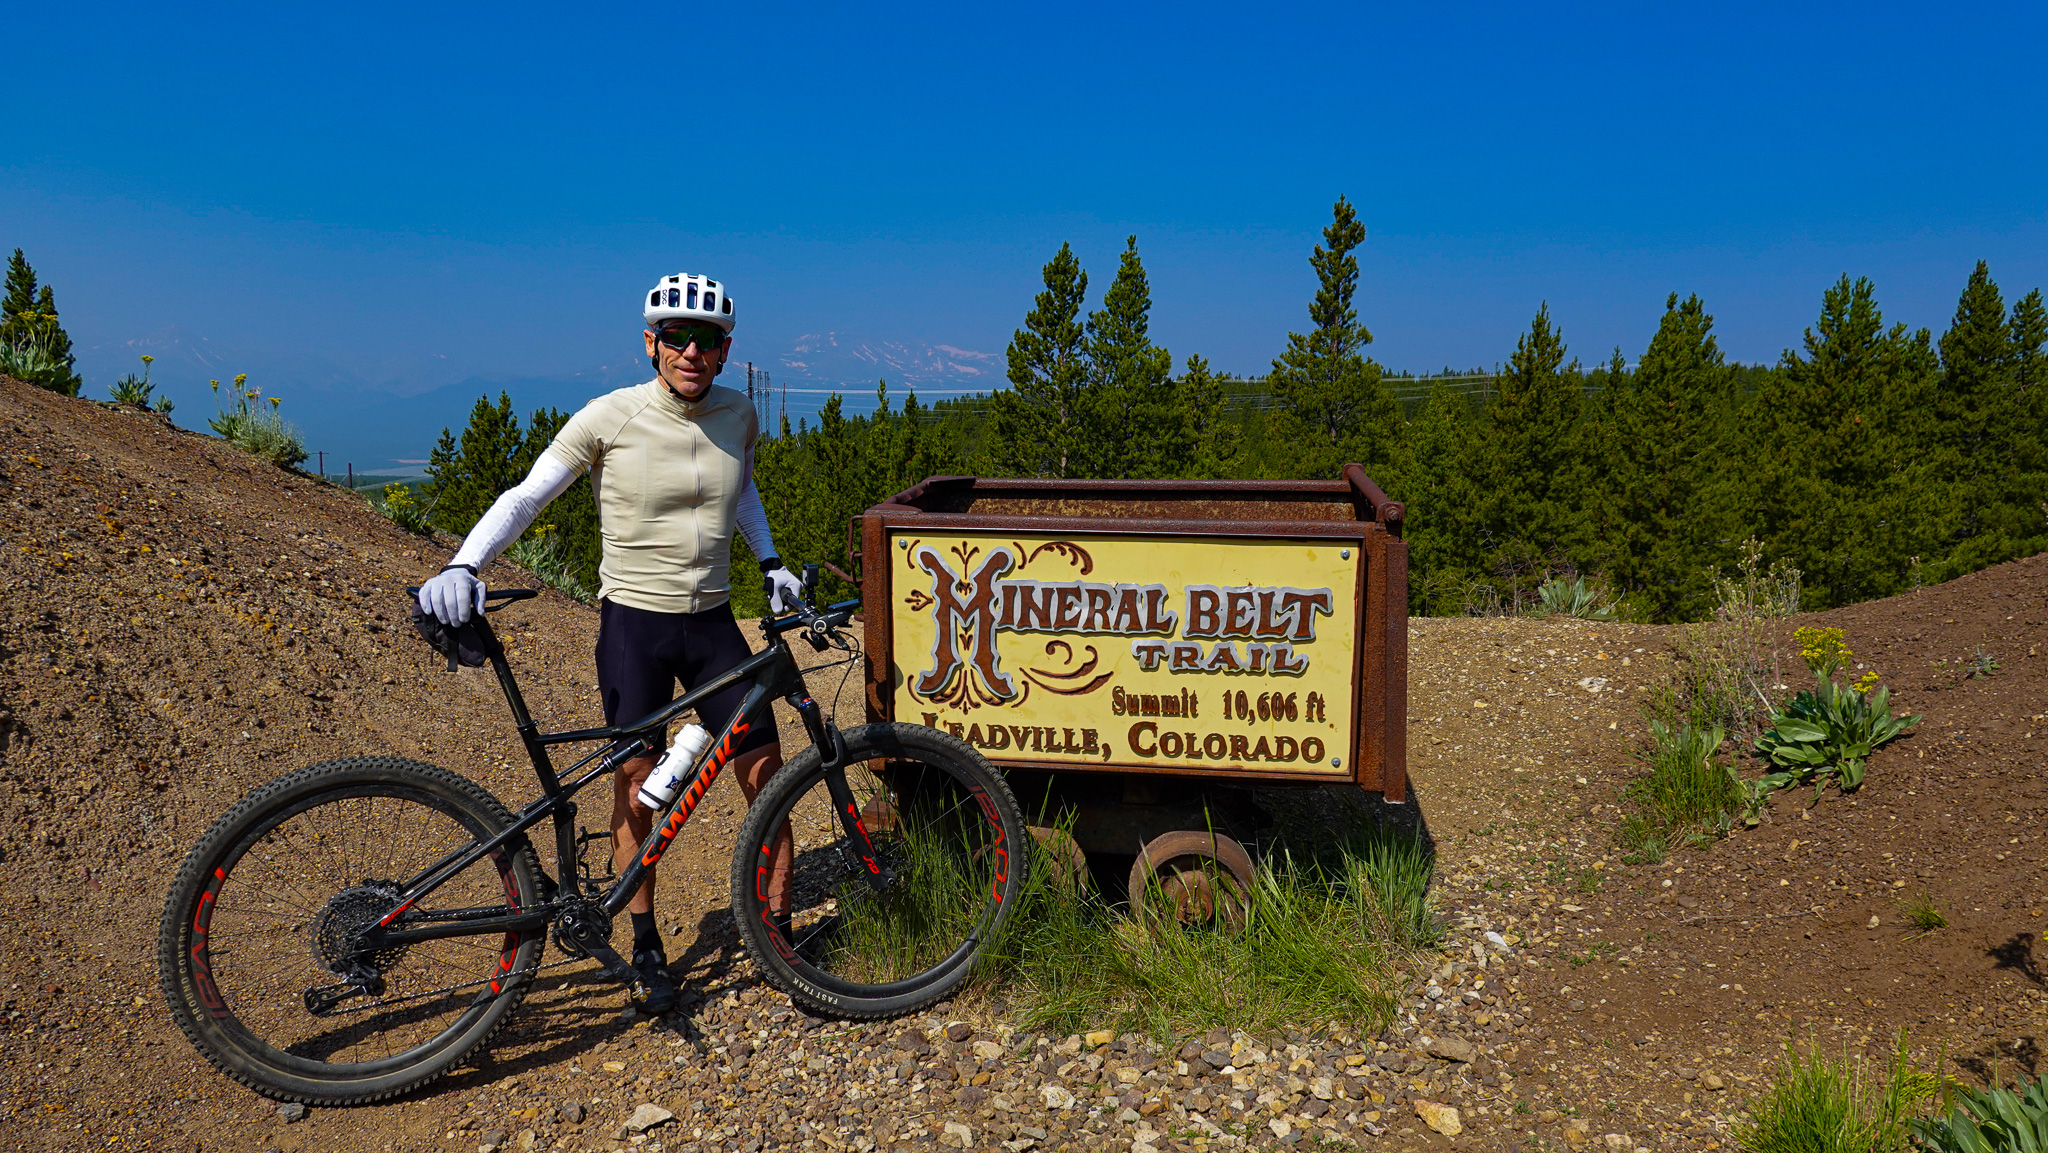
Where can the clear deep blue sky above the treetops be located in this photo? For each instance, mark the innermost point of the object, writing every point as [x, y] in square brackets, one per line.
[382, 212]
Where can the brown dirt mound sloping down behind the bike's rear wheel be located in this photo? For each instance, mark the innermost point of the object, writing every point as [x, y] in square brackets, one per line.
[177, 626]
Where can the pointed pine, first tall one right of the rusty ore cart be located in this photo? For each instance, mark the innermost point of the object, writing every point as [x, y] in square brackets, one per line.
[1535, 476]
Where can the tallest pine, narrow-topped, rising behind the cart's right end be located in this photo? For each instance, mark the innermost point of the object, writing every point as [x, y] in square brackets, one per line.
[1338, 407]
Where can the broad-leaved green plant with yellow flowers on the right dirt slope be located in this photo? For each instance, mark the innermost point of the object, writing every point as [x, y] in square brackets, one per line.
[1830, 730]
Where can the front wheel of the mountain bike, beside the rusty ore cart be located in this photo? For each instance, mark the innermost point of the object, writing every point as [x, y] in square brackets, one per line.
[888, 914]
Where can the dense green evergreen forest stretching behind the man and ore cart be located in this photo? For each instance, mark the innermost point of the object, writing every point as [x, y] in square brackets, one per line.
[1871, 458]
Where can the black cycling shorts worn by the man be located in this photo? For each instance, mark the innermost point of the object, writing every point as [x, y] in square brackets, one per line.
[644, 654]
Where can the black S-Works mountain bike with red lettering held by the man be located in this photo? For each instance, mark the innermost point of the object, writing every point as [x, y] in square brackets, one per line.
[357, 929]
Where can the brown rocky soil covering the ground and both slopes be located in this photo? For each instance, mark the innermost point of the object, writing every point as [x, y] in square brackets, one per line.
[181, 624]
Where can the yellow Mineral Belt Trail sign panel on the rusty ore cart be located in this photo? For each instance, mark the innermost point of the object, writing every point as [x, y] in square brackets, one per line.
[1132, 652]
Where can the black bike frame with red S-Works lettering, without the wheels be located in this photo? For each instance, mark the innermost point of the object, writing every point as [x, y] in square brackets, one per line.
[773, 673]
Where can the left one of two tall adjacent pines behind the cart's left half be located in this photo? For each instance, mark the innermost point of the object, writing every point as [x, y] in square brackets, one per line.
[1037, 423]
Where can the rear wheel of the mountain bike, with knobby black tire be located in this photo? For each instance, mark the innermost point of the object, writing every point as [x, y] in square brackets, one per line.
[265, 910]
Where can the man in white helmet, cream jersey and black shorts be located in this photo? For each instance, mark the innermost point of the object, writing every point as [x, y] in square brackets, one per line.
[673, 472]
